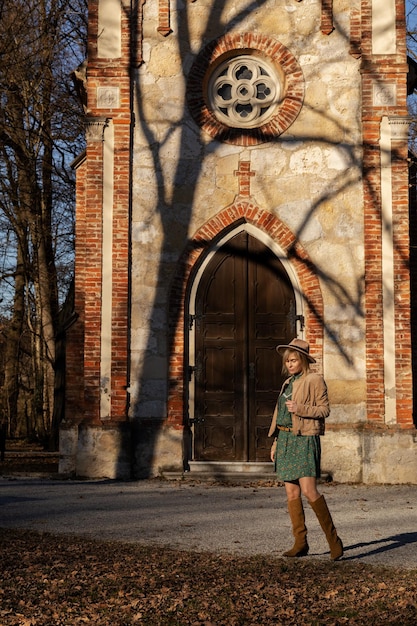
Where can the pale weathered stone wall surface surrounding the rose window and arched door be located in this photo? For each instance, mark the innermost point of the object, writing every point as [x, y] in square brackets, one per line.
[307, 178]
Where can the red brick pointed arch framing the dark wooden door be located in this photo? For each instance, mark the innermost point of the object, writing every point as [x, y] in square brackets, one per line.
[239, 212]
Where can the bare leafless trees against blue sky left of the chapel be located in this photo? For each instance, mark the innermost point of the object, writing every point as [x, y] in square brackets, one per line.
[40, 130]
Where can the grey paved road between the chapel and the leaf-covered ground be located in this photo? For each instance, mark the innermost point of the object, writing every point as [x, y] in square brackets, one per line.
[378, 524]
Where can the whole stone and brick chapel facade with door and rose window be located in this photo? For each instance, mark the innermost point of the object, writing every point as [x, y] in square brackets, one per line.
[245, 181]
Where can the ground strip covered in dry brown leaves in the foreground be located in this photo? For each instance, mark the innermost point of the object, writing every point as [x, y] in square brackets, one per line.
[61, 581]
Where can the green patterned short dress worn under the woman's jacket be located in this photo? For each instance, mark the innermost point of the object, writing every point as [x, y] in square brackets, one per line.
[296, 456]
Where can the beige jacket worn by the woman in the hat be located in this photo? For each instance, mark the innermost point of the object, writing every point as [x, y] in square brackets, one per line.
[309, 392]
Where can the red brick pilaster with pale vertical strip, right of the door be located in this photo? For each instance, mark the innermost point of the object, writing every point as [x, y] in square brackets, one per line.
[385, 184]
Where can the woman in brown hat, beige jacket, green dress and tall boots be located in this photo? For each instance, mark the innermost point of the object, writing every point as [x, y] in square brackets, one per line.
[297, 424]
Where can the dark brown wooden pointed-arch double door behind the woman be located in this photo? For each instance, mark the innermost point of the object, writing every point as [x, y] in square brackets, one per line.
[245, 307]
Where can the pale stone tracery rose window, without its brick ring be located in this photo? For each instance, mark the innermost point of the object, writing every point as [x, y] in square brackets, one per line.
[244, 92]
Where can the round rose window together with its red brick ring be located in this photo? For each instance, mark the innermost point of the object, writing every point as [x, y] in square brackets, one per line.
[245, 89]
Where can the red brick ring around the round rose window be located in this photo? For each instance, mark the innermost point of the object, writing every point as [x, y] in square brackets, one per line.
[218, 50]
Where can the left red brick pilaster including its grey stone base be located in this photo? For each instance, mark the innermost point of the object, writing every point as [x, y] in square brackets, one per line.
[95, 439]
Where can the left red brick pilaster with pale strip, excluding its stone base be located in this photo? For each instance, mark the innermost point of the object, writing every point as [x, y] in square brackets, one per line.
[107, 322]
